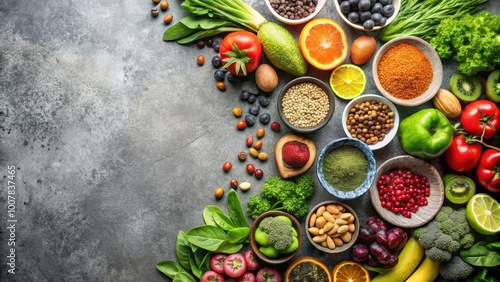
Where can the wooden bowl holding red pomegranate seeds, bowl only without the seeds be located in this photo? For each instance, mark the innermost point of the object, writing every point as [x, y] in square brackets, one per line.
[424, 213]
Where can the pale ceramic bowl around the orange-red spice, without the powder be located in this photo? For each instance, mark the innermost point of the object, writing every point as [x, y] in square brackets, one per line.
[434, 59]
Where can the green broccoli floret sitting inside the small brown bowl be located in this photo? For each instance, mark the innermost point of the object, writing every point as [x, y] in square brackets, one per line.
[280, 236]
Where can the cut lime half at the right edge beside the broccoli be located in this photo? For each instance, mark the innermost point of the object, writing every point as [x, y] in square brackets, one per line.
[483, 214]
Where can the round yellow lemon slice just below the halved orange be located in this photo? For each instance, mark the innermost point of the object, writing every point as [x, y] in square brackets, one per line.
[348, 81]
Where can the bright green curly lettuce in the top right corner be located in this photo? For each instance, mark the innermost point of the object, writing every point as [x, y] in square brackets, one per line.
[473, 41]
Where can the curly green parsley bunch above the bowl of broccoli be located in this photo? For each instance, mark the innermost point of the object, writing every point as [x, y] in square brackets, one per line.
[281, 194]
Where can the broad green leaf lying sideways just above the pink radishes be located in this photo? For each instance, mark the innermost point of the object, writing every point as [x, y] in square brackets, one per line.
[207, 237]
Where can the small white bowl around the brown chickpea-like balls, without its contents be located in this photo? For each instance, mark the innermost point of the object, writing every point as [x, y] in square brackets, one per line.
[368, 97]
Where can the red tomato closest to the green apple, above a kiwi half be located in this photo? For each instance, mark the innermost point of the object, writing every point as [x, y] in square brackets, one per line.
[463, 156]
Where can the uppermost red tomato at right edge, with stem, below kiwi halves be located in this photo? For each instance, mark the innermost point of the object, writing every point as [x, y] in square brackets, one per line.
[479, 115]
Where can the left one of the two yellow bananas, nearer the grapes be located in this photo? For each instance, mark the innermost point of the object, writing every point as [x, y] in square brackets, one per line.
[408, 260]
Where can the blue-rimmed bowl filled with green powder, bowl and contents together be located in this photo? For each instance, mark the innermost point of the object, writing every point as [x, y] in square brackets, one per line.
[346, 168]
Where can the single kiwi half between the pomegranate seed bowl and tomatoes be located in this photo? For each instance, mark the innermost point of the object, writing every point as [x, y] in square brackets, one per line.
[458, 188]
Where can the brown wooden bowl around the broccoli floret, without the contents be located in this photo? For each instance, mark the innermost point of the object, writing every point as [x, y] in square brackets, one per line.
[255, 246]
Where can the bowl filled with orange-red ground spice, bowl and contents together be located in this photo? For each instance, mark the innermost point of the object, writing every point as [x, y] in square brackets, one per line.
[407, 71]
